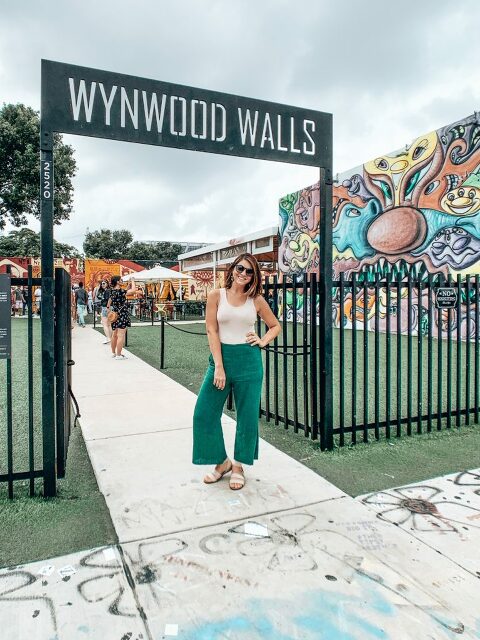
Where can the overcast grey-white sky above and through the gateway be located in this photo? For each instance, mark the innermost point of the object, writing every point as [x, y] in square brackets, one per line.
[388, 71]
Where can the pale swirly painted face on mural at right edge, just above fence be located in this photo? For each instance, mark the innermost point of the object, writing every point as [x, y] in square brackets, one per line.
[454, 246]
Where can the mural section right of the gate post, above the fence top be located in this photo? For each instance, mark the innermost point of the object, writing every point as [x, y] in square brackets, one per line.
[415, 211]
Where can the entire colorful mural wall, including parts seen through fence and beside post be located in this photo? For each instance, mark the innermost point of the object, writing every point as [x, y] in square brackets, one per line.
[415, 211]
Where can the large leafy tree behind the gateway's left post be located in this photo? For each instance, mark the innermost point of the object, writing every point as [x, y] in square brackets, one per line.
[20, 168]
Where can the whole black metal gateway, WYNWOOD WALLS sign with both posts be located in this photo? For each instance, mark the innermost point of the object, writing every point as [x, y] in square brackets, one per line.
[101, 104]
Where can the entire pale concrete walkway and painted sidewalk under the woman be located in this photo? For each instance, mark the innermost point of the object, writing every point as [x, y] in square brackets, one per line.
[290, 557]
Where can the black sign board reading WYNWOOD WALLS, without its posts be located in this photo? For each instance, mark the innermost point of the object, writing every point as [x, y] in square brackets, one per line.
[91, 102]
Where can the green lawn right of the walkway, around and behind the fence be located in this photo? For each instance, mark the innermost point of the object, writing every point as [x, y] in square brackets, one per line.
[355, 469]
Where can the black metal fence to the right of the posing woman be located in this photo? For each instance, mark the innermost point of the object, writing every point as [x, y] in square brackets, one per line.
[401, 365]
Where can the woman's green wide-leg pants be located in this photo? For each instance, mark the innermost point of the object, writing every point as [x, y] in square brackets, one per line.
[244, 374]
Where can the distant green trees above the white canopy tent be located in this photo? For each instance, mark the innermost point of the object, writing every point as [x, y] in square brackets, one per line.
[115, 245]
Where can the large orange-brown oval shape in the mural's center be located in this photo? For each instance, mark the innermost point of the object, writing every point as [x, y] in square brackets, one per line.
[397, 231]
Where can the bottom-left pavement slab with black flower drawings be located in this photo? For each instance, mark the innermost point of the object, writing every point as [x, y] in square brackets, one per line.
[51, 608]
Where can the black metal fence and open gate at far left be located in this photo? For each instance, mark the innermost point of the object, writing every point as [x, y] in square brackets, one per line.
[21, 434]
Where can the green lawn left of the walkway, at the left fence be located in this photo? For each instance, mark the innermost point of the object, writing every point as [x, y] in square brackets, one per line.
[34, 528]
